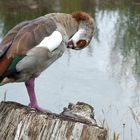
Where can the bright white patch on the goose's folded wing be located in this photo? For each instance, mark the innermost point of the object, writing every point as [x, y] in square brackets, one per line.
[51, 42]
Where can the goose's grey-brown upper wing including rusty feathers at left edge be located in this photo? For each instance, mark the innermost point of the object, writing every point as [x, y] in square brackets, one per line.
[23, 38]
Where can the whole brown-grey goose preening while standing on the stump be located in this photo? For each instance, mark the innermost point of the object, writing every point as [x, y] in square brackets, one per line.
[32, 46]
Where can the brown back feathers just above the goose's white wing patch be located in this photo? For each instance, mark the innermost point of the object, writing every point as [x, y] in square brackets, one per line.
[32, 34]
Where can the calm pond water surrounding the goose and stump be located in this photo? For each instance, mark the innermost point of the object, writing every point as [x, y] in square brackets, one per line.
[105, 74]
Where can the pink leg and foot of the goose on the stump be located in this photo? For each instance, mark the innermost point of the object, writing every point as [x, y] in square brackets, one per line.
[33, 101]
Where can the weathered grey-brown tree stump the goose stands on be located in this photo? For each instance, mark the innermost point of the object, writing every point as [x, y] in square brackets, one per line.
[18, 122]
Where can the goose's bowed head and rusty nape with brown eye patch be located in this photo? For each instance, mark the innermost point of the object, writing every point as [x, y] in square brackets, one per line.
[85, 31]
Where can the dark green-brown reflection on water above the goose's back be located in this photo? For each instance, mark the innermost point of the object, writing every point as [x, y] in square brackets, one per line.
[14, 11]
